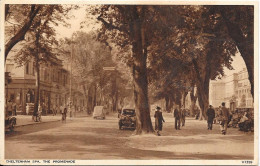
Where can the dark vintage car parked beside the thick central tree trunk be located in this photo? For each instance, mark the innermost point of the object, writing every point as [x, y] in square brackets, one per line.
[127, 118]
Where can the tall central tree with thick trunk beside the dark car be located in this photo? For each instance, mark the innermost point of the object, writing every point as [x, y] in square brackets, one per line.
[137, 27]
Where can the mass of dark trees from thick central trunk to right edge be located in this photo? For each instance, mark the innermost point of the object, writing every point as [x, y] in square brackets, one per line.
[177, 48]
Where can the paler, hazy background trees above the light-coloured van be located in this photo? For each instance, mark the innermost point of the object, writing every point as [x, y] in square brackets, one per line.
[89, 60]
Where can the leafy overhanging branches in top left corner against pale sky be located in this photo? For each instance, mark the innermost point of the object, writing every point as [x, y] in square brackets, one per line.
[24, 18]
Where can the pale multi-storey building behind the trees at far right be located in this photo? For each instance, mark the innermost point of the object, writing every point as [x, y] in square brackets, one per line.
[234, 90]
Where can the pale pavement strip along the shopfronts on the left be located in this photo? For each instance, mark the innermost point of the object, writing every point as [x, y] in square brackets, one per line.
[24, 120]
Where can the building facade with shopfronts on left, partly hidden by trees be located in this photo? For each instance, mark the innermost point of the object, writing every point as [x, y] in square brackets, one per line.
[54, 86]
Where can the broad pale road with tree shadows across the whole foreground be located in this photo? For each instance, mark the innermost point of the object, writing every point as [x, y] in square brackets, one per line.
[86, 138]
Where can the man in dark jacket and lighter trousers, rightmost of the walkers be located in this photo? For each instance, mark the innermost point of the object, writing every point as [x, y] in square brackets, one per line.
[223, 118]
